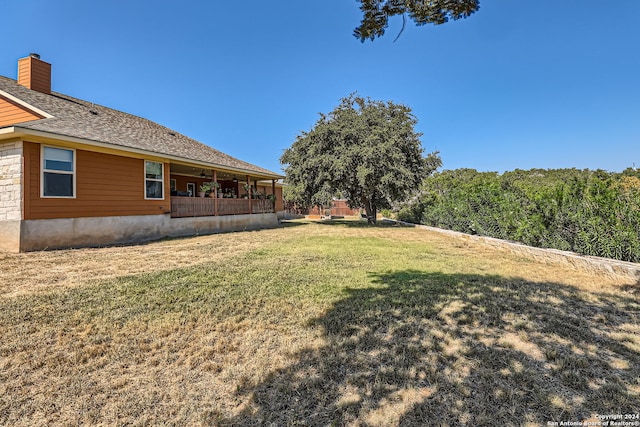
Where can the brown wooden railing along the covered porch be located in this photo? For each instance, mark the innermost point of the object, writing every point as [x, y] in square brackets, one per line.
[206, 206]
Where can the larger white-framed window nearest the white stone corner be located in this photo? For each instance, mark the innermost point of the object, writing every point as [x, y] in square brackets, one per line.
[58, 172]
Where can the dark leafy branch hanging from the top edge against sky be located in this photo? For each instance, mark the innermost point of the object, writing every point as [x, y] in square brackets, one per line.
[376, 13]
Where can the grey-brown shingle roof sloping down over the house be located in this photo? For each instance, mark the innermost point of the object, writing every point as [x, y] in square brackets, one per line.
[81, 119]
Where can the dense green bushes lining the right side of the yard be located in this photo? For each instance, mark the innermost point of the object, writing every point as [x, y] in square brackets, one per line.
[584, 211]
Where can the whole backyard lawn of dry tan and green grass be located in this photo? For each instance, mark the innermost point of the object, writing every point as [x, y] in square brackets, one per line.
[333, 323]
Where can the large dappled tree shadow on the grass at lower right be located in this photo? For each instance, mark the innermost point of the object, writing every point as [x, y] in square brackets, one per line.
[437, 349]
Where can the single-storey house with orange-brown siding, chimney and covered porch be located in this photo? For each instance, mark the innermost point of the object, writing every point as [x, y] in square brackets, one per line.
[73, 173]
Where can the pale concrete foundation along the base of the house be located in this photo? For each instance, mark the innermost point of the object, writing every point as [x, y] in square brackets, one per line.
[36, 235]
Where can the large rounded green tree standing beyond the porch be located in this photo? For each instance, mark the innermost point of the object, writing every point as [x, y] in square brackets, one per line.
[364, 150]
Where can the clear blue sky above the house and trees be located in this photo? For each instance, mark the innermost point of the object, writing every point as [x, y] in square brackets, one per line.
[519, 84]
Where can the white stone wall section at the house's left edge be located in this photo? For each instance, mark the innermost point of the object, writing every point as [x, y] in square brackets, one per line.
[11, 181]
